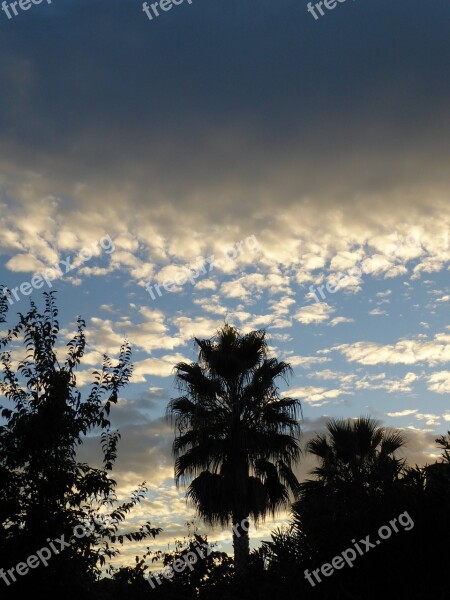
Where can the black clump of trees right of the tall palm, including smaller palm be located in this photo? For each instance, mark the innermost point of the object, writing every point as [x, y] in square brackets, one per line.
[359, 486]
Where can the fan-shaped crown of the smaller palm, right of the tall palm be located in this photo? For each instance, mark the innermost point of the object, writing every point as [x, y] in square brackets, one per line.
[356, 451]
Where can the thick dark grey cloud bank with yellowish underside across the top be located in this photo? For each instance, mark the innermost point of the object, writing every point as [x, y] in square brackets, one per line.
[234, 102]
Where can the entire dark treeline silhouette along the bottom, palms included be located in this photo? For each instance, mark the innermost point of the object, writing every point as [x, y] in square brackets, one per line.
[236, 443]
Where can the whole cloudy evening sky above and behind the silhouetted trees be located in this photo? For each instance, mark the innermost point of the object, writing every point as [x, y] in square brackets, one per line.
[262, 152]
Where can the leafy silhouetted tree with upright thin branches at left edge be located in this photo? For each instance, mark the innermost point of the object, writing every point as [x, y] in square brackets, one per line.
[45, 491]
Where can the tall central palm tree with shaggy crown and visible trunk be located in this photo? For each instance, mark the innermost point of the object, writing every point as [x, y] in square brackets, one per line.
[236, 438]
